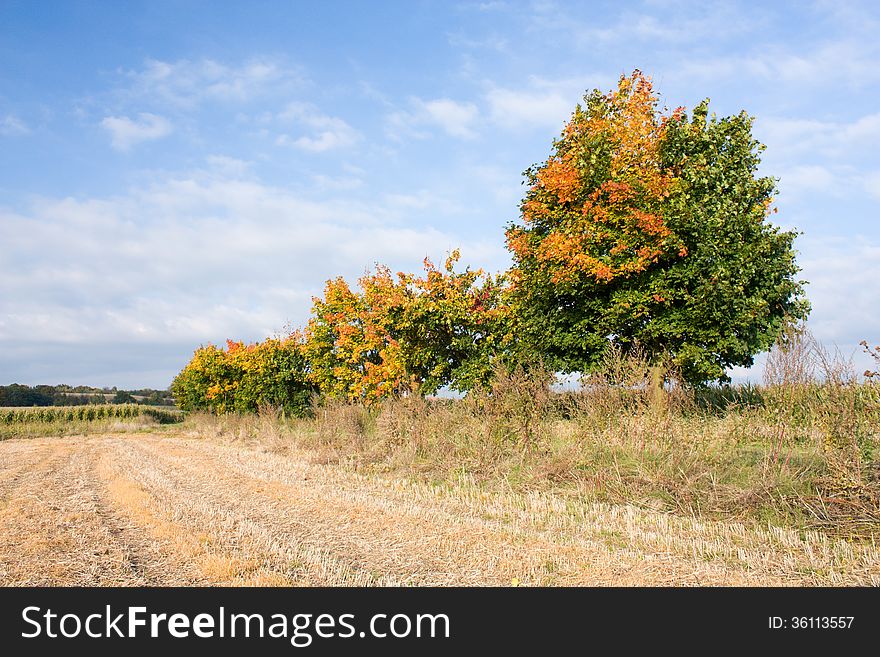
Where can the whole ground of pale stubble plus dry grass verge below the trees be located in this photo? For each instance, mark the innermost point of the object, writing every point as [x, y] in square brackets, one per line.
[424, 493]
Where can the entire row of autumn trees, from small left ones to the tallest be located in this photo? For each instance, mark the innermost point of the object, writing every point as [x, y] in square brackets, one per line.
[643, 227]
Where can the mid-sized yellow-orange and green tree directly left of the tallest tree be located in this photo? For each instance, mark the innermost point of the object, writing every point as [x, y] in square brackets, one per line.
[406, 332]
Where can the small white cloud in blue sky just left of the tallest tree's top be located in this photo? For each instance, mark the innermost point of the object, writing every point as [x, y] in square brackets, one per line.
[454, 118]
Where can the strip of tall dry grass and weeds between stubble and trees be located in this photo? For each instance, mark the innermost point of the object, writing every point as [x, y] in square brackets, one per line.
[788, 454]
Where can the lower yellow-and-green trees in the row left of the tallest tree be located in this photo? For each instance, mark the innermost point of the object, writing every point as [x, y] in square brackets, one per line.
[393, 333]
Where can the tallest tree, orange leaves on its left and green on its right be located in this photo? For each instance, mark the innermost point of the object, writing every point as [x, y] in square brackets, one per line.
[647, 227]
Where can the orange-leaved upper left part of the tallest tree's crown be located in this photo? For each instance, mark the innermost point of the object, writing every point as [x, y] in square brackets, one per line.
[601, 195]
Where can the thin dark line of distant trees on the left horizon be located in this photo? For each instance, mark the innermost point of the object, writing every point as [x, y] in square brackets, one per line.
[65, 395]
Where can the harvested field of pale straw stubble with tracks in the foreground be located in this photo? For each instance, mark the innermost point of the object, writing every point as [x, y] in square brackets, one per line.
[142, 509]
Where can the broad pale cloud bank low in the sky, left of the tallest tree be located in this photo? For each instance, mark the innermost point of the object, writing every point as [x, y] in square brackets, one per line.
[196, 257]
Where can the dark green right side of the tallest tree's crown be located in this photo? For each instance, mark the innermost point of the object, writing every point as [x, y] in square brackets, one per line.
[734, 293]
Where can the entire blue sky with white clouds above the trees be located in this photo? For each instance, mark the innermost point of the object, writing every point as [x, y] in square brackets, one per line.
[179, 173]
